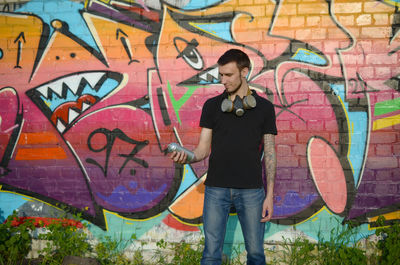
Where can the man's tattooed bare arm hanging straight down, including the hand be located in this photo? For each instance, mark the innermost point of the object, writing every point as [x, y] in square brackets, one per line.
[270, 169]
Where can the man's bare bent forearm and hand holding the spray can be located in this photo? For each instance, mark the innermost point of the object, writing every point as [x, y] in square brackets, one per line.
[201, 152]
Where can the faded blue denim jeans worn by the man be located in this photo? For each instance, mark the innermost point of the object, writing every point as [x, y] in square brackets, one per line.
[248, 204]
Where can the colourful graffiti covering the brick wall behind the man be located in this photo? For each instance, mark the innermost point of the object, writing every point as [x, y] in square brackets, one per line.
[91, 96]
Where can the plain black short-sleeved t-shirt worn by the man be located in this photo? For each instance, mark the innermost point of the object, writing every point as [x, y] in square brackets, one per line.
[235, 159]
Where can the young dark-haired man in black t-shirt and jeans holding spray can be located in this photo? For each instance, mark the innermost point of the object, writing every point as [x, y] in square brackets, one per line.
[233, 132]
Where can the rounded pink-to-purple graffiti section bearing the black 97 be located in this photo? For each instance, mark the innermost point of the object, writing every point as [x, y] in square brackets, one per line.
[125, 169]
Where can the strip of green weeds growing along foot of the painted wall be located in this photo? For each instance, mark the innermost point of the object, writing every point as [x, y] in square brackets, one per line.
[65, 240]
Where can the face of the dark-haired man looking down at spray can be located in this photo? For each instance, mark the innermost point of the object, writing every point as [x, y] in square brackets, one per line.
[231, 77]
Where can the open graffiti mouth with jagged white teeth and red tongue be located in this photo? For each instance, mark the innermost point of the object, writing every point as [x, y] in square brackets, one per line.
[63, 100]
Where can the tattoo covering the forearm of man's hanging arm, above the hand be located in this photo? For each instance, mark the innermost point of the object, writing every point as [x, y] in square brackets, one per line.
[270, 158]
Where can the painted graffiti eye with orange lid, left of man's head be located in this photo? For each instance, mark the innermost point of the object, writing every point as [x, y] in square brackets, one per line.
[187, 50]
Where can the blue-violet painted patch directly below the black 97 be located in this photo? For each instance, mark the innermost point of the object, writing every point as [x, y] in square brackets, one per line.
[122, 198]
